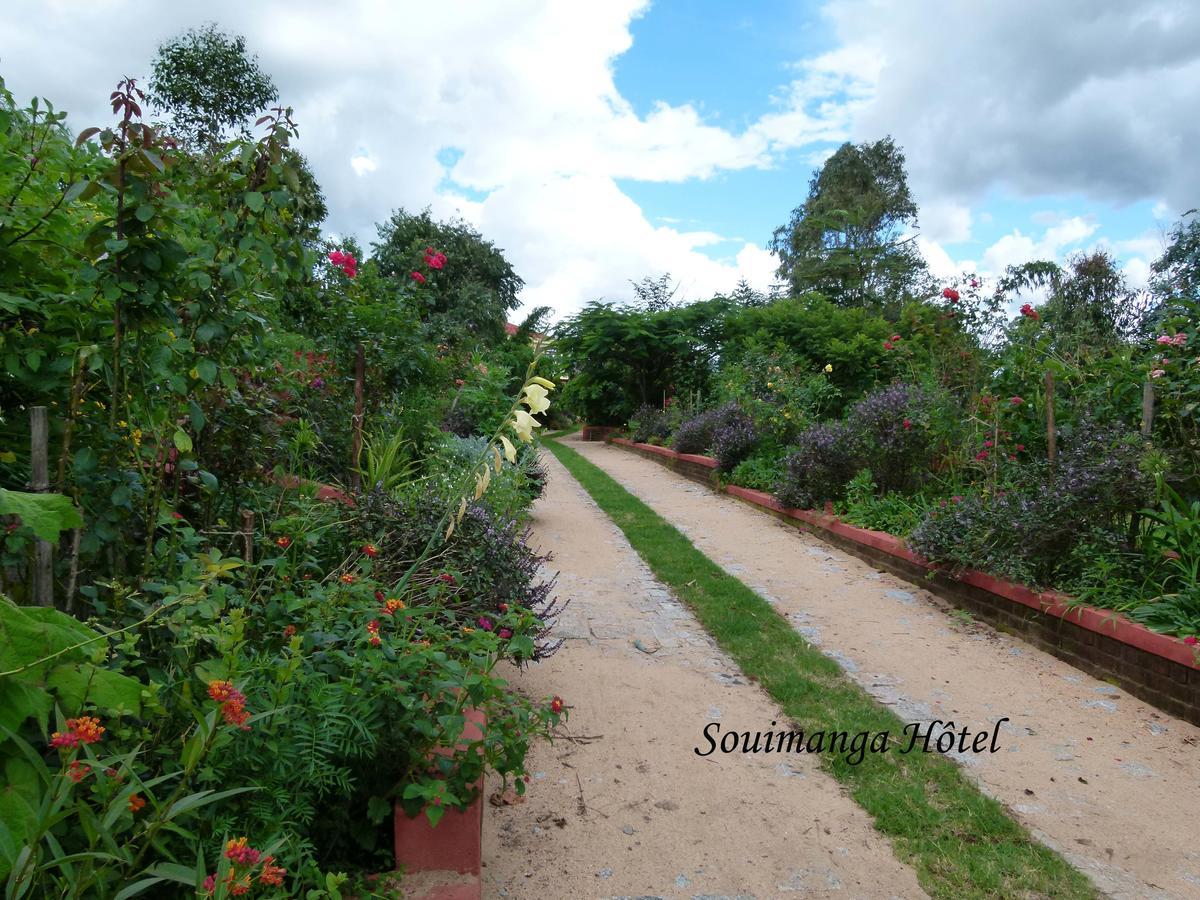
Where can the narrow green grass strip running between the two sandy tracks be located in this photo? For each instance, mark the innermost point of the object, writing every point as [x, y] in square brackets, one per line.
[961, 843]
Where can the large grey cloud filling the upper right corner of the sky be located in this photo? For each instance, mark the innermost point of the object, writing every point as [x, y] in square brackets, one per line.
[1033, 97]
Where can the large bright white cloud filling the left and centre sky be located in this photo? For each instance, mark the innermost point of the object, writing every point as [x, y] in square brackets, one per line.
[524, 89]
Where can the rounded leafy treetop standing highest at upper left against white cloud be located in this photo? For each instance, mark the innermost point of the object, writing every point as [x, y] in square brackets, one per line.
[209, 87]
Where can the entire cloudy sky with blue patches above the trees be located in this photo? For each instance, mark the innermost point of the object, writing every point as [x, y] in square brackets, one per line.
[603, 142]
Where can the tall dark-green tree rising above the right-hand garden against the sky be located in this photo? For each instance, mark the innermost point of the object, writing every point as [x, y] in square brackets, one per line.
[851, 239]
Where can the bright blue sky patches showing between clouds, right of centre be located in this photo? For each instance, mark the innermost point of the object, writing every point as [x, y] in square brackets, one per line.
[730, 61]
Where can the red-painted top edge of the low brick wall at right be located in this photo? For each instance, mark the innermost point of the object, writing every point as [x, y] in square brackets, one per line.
[1105, 622]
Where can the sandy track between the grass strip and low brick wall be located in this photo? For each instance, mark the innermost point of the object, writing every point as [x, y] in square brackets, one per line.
[1101, 777]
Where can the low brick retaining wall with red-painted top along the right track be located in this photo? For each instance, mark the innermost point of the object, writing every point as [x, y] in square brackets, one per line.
[1160, 670]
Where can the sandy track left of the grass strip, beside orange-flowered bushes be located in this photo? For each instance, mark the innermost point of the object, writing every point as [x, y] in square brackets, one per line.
[628, 811]
